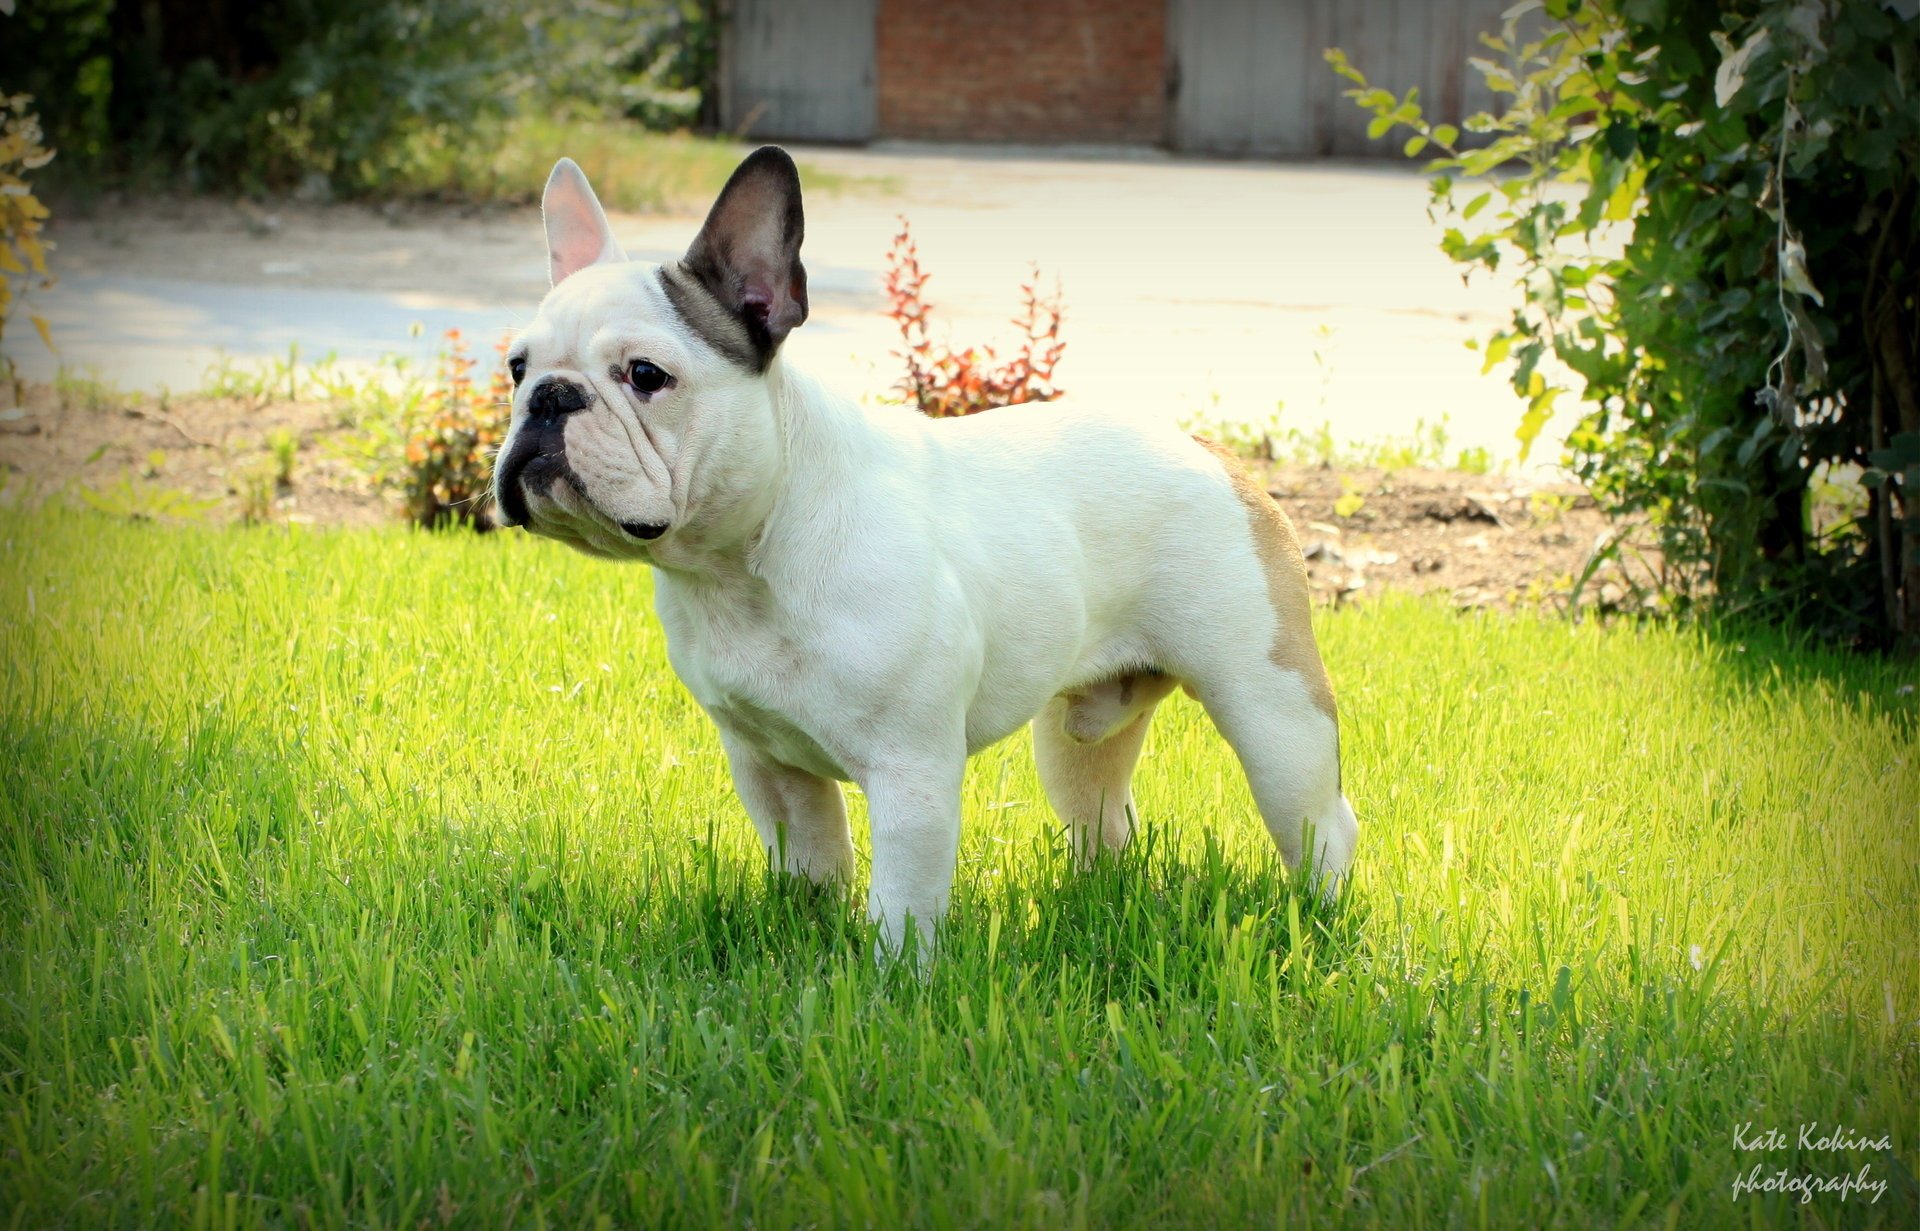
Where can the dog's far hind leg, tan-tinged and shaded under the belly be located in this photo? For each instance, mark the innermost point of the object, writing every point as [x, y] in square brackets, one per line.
[1086, 746]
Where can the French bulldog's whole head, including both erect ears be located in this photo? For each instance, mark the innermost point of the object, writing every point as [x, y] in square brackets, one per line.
[642, 410]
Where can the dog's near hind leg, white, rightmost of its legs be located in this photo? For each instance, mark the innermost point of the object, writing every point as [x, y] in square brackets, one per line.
[1289, 748]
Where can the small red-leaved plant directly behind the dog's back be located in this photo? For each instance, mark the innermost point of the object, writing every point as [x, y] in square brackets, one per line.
[944, 381]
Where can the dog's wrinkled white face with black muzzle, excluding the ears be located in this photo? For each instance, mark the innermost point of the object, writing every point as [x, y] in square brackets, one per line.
[631, 429]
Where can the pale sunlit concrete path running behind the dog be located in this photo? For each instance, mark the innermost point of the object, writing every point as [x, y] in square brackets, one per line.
[1214, 289]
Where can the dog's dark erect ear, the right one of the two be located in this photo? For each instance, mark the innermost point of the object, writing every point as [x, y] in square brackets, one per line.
[750, 251]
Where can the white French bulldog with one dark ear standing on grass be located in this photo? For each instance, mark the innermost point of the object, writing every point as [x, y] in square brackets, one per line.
[873, 596]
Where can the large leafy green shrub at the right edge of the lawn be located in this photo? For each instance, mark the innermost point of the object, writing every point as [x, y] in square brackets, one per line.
[1754, 329]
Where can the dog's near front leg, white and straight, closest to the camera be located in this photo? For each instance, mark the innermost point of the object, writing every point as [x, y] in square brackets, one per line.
[915, 808]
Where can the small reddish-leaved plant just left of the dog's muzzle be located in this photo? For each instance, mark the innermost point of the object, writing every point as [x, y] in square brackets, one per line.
[450, 452]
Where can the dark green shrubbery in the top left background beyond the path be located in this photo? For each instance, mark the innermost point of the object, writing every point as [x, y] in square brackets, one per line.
[341, 95]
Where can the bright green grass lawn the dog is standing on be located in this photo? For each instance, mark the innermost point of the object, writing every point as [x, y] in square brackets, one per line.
[391, 881]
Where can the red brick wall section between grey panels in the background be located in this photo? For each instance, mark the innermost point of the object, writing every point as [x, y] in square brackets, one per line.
[1022, 70]
